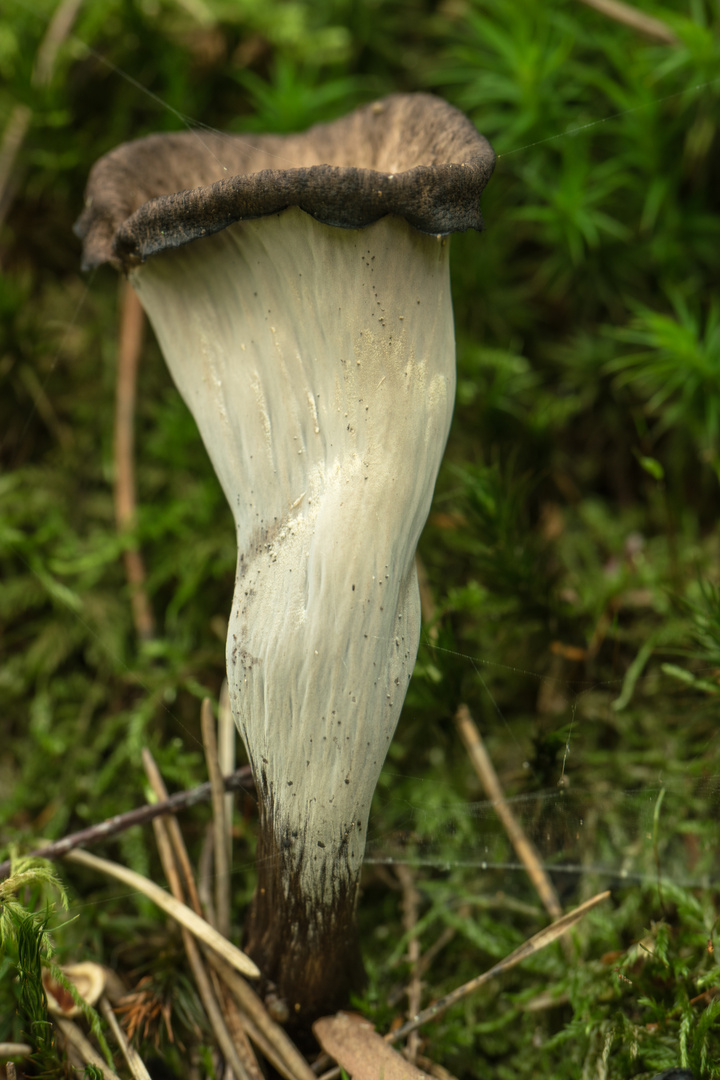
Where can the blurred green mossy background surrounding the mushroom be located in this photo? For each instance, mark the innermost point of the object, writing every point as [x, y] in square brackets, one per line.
[573, 565]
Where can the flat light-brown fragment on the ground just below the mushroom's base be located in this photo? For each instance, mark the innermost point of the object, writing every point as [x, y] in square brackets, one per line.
[361, 1051]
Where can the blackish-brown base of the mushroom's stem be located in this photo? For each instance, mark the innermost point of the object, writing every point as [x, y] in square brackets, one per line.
[309, 956]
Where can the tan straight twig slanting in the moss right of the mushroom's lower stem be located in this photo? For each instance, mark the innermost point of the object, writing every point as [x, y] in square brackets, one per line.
[524, 847]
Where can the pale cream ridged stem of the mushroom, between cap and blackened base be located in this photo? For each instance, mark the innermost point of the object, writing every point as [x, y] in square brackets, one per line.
[320, 367]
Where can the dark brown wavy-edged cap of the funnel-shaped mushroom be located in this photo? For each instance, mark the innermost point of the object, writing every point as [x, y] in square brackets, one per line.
[410, 155]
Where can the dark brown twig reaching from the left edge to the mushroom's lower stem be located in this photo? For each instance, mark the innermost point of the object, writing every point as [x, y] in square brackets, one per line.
[240, 780]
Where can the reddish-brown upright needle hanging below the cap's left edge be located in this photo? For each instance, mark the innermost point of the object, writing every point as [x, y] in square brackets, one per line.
[130, 346]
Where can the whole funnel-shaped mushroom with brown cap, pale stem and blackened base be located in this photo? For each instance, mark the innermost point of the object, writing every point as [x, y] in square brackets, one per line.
[300, 290]
